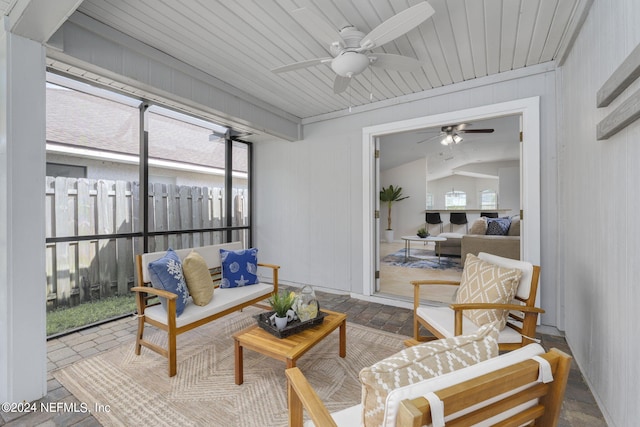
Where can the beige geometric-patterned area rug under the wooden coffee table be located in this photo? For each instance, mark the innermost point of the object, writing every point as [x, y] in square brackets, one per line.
[203, 393]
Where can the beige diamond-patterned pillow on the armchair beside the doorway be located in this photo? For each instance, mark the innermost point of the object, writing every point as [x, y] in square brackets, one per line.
[484, 282]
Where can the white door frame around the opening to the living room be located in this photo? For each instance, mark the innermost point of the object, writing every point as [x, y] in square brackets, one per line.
[529, 108]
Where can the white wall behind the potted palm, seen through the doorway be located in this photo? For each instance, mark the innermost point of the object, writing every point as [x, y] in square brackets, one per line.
[407, 215]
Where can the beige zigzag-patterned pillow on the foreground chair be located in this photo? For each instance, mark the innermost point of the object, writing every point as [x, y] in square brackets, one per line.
[421, 362]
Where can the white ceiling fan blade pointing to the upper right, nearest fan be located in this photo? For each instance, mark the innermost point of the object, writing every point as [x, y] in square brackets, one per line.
[397, 25]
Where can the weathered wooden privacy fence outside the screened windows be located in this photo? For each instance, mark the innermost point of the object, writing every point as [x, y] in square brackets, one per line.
[87, 269]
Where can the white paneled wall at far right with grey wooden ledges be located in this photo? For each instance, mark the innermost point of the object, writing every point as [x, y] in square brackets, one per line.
[599, 201]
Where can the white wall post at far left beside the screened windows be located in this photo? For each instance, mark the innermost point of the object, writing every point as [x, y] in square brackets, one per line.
[23, 369]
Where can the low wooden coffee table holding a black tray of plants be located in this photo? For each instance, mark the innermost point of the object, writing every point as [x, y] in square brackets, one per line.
[291, 348]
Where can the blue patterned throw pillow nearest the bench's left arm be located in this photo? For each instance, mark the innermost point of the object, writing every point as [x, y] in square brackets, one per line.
[166, 274]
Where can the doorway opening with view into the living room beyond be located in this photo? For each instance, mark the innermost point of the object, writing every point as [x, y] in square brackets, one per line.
[448, 188]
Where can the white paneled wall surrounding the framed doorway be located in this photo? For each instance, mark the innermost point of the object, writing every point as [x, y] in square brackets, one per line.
[309, 204]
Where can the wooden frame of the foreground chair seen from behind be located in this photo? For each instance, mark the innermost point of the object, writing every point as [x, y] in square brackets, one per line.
[510, 386]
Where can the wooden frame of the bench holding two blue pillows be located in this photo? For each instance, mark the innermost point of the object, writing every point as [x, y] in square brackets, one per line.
[146, 297]
